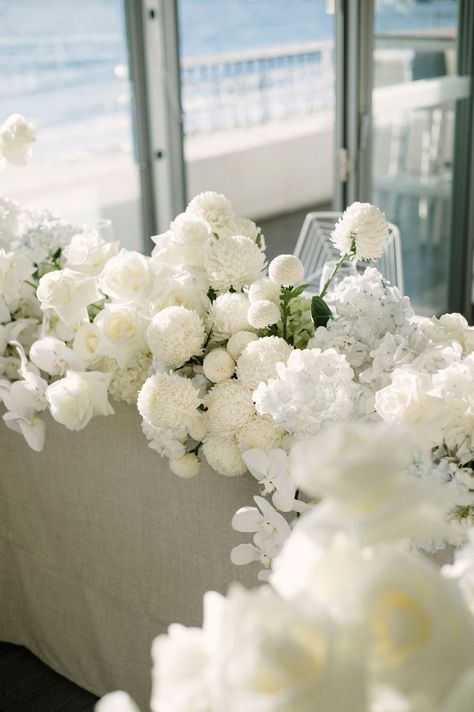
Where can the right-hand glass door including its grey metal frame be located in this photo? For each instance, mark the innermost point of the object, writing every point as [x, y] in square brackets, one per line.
[407, 143]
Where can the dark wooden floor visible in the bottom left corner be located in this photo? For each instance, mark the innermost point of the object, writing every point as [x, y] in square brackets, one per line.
[28, 685]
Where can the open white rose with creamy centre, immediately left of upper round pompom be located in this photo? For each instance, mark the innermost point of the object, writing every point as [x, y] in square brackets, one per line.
[121, 330]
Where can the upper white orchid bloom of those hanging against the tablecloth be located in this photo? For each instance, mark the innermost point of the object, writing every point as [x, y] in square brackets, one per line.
[272, 472]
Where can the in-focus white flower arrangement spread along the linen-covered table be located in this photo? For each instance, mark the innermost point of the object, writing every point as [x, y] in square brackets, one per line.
[229, 362]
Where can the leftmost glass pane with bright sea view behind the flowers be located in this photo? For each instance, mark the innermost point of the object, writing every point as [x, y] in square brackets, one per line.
[64, 66]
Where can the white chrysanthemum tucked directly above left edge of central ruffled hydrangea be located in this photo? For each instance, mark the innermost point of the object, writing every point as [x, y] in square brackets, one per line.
[259, 360]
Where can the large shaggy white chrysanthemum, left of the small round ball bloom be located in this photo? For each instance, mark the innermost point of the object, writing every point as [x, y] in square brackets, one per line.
[233, 261]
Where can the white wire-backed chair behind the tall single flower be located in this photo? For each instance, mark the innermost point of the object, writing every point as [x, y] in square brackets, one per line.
[314, 248]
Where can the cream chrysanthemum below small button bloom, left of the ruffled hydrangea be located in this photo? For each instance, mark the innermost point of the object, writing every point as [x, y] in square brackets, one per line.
[230, 407]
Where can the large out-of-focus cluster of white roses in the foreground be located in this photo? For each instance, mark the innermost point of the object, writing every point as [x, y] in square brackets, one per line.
[352, 620]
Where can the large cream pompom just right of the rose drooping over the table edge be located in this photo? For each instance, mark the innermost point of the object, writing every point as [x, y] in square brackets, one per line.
[168, 401]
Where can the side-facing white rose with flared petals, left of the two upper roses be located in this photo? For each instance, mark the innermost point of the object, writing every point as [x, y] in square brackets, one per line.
[68, 293]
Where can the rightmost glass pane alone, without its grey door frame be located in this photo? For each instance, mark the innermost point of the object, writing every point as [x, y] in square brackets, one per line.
[413, 137]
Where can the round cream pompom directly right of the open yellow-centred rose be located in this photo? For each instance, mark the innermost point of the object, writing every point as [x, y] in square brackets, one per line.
[175, 334]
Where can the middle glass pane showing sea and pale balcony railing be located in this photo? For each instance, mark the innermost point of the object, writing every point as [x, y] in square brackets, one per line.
[258, 100]
